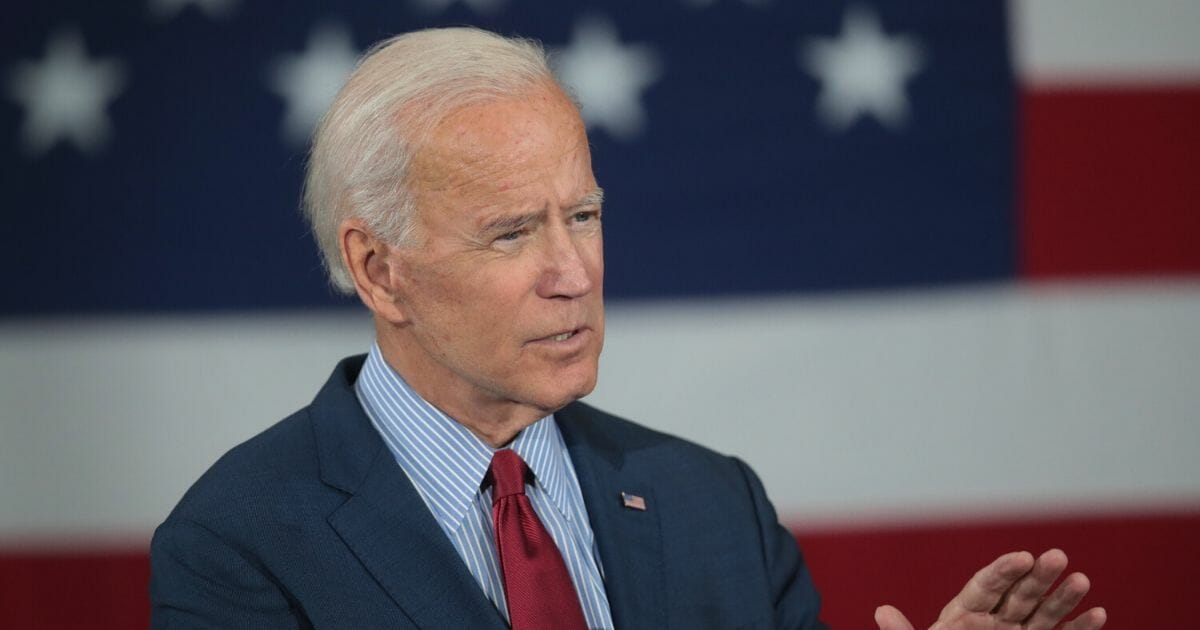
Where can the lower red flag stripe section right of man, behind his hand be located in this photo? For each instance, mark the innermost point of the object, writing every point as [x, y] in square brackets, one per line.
[1143, 568]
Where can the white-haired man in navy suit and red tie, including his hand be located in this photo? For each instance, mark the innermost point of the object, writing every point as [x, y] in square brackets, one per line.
[451, 479]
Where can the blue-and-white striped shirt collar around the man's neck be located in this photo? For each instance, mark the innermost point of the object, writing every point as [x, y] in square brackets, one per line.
[443, 459]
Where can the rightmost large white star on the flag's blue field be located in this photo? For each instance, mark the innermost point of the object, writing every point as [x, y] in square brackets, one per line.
[863, 73]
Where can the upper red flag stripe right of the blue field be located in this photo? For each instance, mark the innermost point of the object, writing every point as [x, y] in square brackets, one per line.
[1111, 182]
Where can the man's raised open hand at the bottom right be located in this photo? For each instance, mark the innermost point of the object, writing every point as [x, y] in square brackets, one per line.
[1011, 595]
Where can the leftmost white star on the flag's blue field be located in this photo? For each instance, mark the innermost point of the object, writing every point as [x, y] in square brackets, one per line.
[65, 95]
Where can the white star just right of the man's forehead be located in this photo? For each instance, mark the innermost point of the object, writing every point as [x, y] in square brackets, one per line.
[608, 77]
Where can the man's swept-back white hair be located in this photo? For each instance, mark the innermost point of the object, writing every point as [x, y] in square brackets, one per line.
[399, 92]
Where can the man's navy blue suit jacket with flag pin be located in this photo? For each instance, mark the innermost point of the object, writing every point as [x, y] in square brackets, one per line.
[314, 525]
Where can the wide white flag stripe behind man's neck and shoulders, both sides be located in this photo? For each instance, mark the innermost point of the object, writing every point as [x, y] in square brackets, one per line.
[889, 405]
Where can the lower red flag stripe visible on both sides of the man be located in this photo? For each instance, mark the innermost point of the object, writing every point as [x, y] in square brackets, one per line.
[1143, 571]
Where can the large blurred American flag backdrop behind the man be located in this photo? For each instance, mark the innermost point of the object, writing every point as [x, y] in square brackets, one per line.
[932, 268]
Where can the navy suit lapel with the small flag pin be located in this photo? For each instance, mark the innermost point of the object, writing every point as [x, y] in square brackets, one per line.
[631, 541]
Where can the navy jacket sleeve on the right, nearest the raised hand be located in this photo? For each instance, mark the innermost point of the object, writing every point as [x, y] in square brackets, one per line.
[797, 602]
